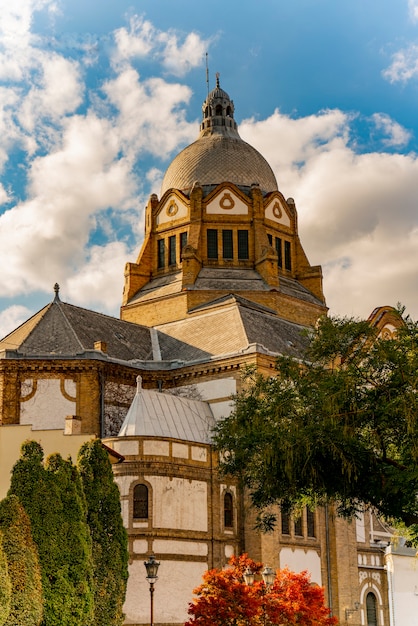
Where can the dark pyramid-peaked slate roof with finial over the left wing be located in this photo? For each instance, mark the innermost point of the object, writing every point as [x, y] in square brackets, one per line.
[65, 330]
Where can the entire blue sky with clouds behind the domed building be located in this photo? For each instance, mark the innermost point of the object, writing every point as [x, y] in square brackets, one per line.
[96, 98]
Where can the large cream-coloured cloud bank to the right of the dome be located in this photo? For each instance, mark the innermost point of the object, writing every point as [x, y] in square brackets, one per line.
[357, 212]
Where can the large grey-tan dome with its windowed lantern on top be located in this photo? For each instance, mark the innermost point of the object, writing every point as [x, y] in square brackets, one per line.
[219, 154]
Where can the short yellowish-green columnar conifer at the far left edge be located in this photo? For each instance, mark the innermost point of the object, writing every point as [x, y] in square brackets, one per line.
[26, 608]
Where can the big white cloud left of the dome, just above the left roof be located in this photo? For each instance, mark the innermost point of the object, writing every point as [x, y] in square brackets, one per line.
[44, 239]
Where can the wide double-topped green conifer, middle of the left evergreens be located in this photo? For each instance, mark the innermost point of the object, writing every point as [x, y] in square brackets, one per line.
[52, 496]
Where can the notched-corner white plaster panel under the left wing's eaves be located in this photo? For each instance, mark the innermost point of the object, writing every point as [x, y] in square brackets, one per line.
[47, 409]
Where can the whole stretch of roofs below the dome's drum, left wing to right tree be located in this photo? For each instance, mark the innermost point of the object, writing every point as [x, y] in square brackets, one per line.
[226, 325]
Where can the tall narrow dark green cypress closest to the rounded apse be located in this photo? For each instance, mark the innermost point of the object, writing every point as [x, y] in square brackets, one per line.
[110, 549]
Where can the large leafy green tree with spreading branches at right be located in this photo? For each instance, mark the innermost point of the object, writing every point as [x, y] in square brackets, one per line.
[341, 426]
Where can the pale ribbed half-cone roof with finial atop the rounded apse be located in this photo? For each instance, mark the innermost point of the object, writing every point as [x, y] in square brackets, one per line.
[156, 414]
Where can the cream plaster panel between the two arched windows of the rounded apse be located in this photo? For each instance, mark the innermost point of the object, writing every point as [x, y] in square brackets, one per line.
[179, 503]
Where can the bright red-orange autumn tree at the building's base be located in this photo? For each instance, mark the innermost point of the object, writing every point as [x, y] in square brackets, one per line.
[224, 598]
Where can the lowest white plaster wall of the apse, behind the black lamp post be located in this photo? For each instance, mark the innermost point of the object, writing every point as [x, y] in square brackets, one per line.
[173, 591]
